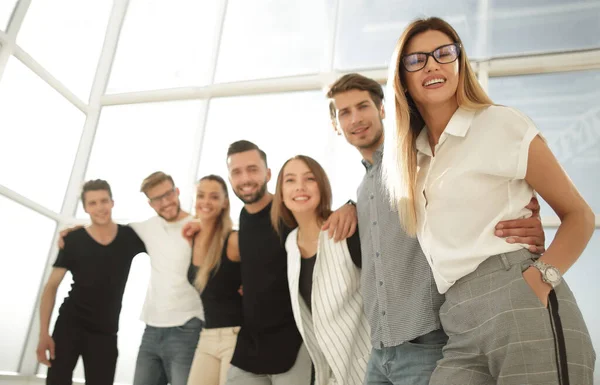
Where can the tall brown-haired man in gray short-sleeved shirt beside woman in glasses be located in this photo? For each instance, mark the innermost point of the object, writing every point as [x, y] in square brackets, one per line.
[401, 300]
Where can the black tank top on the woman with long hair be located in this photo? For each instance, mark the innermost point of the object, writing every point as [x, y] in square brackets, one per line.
[221, 300]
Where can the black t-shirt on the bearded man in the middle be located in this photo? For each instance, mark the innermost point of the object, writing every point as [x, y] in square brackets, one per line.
[269, 340]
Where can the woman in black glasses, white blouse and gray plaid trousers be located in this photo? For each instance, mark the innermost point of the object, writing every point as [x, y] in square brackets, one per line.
[455, 164]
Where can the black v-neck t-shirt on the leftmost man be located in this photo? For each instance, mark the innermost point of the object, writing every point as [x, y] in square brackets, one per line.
[99, 276]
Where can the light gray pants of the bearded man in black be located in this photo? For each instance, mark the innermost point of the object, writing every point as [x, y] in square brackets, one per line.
[299, 374]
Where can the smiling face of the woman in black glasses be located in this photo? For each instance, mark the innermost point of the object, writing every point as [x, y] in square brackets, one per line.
[436, 83]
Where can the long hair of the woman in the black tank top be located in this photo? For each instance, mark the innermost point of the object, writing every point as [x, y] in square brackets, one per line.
[223, 227]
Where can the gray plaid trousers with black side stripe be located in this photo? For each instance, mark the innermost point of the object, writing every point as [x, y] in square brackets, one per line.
[500, 333]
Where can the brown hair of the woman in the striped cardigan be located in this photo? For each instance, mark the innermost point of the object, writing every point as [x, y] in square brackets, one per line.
[282, 216]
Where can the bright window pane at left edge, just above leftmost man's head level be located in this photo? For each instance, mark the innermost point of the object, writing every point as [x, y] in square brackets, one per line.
[41, 132]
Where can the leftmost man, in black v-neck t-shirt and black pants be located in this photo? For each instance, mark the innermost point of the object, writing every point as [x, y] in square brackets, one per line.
[99, 258]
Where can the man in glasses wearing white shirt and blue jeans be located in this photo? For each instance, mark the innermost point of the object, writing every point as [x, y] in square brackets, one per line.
[172, 309]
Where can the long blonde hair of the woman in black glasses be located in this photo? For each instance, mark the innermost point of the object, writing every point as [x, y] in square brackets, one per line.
[400, 154]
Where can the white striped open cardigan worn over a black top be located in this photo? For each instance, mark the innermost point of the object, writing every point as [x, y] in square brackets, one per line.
[336, 334]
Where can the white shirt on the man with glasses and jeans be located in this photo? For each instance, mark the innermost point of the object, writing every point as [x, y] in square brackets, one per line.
[170, 299]
